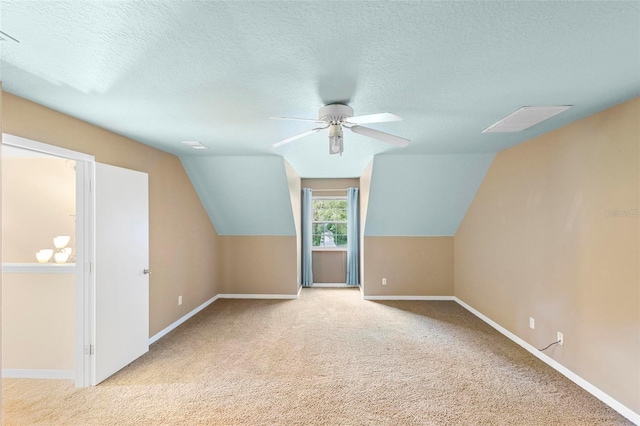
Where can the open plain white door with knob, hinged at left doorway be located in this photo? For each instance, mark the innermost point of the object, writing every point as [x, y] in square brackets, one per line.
[121, 270]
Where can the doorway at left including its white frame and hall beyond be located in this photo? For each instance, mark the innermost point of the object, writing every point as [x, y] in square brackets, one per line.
[47, 225]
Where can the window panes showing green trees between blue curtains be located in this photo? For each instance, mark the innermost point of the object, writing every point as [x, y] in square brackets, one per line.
[329, 226]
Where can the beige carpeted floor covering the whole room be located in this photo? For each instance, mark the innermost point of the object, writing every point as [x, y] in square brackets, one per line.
[328, 358]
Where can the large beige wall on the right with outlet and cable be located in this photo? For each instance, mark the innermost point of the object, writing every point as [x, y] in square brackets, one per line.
[538, 241]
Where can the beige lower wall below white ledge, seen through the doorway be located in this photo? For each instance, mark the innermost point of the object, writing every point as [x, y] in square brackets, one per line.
[38, 321]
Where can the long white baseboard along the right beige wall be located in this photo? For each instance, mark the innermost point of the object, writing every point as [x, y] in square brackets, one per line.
[619, 407]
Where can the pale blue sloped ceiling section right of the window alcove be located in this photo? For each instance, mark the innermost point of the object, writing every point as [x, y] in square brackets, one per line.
[423, 195]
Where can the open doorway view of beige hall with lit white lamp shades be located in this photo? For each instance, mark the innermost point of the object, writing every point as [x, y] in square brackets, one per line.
[38, 210]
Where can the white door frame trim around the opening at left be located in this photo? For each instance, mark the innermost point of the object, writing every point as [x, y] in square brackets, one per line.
[85, 250]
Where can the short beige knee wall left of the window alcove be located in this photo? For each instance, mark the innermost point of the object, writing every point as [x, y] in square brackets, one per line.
[258, 265]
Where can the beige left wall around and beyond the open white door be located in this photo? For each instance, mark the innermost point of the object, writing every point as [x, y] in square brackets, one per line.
[183, 242]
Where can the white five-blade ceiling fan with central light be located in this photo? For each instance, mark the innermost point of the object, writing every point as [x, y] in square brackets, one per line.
[335, 117]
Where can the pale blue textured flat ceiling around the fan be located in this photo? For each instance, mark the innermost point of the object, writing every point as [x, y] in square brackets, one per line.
[162, 72]
